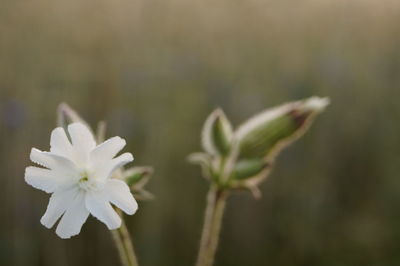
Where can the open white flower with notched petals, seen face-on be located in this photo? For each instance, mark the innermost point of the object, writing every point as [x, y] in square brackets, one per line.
[78, 175]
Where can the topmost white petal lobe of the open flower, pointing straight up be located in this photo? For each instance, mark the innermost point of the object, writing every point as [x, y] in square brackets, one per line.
[82, 141]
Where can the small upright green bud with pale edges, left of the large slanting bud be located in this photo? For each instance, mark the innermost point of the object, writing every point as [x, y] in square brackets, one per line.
[217, 134]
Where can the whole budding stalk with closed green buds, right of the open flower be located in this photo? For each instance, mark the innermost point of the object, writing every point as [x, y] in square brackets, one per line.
[243, 158]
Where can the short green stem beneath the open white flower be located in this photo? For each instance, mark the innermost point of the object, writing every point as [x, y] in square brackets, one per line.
[124, 245]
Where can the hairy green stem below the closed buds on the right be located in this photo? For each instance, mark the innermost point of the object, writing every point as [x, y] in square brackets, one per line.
[216, 201]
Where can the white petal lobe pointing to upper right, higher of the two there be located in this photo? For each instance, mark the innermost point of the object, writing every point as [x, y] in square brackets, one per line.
[107, 150]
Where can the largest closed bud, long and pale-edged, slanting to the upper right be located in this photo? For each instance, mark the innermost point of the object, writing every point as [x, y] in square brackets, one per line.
[264, 135]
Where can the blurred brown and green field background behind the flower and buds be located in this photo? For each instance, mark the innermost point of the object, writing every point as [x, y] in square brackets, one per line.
[155, 69]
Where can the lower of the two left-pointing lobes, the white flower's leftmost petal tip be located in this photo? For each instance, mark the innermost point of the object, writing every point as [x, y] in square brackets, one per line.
[44, 179]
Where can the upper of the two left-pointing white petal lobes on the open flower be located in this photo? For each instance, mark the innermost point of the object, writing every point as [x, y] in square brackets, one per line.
[55, 162]
